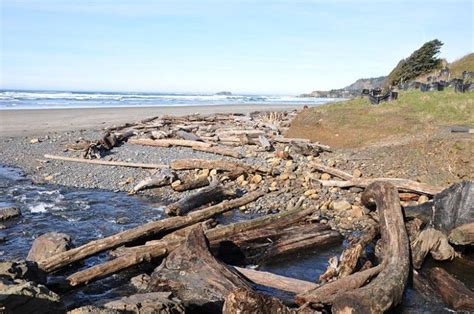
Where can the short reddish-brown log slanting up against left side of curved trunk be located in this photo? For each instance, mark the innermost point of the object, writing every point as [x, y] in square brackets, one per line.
[327, 293]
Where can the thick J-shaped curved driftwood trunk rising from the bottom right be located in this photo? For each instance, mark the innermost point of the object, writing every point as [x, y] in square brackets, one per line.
[385, 291]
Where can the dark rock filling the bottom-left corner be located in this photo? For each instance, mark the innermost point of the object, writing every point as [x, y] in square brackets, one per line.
[21, 296]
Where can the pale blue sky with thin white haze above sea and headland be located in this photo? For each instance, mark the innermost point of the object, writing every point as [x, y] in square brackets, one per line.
[277, 47]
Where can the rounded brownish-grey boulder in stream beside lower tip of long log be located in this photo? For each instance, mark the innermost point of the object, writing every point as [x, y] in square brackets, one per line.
[49, 244]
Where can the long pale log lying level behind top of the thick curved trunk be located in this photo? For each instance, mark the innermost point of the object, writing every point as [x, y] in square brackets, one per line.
[401, 184]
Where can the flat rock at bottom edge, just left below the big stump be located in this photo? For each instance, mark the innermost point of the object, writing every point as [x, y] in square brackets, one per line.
[153, 302]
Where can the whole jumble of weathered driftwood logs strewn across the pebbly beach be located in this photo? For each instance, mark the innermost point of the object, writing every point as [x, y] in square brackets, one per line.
[196, 255]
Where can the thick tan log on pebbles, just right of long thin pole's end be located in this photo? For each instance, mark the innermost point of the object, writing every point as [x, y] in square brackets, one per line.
[225, 165]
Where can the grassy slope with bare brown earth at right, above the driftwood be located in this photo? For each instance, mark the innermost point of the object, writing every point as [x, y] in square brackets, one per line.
[357, 123]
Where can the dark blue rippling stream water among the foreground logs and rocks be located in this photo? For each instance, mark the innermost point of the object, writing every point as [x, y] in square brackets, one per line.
[87, 214]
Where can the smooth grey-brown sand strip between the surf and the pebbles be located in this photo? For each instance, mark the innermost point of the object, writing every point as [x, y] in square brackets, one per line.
[38, 122]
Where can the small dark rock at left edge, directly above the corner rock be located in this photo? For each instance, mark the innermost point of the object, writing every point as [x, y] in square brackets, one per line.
[22, 270]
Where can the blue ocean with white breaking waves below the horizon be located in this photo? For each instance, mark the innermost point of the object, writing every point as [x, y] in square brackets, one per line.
[10, 99]
